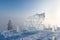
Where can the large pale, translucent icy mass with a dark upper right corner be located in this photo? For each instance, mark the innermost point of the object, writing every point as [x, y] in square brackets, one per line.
[35, 22]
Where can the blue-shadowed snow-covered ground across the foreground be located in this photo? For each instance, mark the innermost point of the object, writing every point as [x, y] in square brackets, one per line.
[34, 35]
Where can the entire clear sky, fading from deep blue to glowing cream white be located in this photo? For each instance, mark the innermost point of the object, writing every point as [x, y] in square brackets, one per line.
[17, 10]
